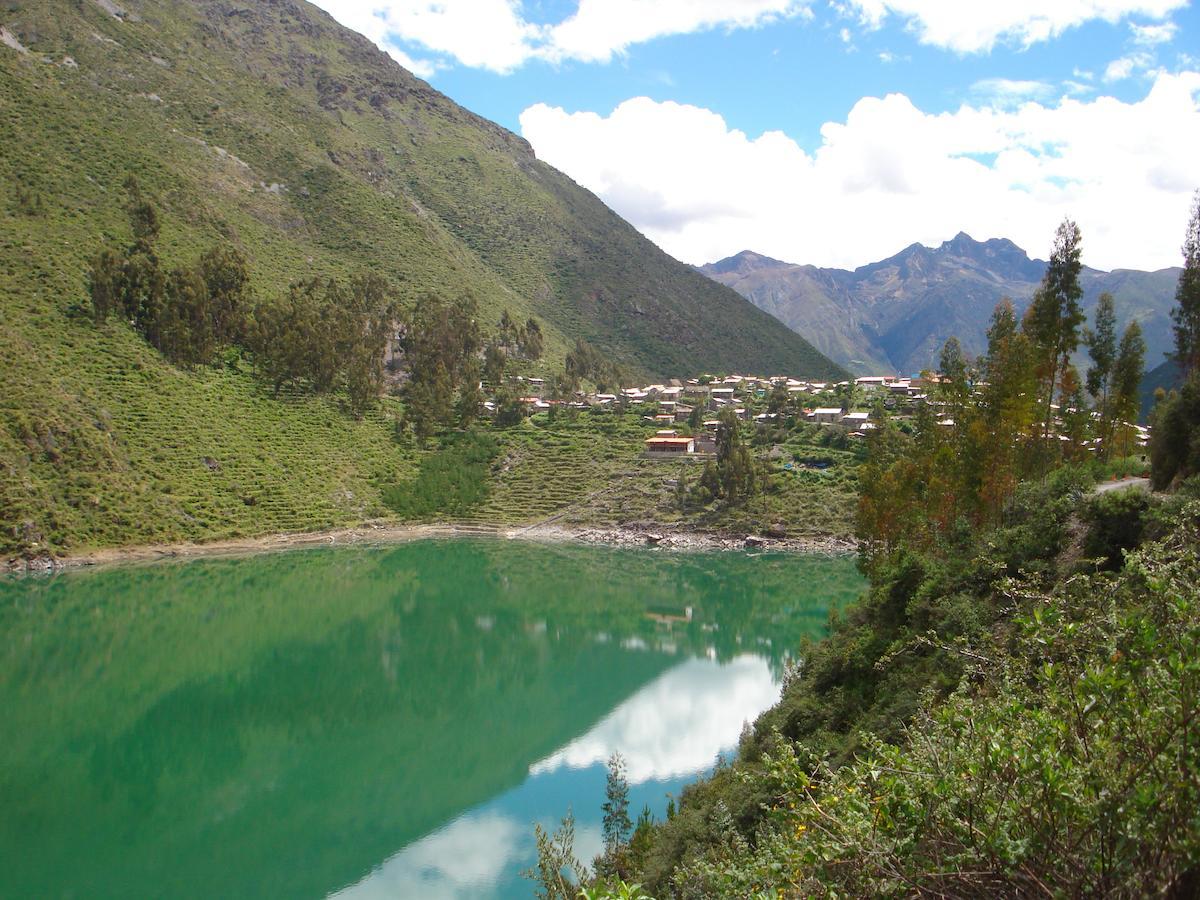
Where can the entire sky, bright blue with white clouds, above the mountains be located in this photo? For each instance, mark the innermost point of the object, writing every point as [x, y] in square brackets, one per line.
[837, 133]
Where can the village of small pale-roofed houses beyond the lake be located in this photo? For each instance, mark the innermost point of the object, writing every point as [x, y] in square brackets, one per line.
[687, 412]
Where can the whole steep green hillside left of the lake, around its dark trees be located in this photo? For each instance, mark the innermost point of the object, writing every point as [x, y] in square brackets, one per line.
[269, 127]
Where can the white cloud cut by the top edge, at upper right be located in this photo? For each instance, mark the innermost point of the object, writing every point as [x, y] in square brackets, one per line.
[977, 27]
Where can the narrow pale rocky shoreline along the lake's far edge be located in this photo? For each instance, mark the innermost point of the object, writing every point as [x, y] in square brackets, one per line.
[669, 538]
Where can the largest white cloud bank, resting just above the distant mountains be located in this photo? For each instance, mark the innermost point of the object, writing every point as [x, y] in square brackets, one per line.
[892, 175]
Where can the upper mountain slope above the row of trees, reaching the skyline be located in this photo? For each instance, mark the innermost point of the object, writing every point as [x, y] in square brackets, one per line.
[269, 124]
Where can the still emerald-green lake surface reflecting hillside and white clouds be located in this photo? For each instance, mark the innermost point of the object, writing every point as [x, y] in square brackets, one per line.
[368, 723]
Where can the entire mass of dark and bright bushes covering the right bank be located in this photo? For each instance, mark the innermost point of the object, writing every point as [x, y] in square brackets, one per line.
[994, 718]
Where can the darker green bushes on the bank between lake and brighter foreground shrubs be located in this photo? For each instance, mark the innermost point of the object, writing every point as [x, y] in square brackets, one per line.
[905, 646]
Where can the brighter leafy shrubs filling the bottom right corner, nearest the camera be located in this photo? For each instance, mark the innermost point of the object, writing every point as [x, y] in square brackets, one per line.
[1067, 764]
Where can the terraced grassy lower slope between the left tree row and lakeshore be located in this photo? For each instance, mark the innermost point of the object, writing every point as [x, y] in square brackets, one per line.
[131, 451]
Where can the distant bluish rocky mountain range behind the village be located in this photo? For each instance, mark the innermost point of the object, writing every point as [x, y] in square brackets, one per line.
[895, 316]
